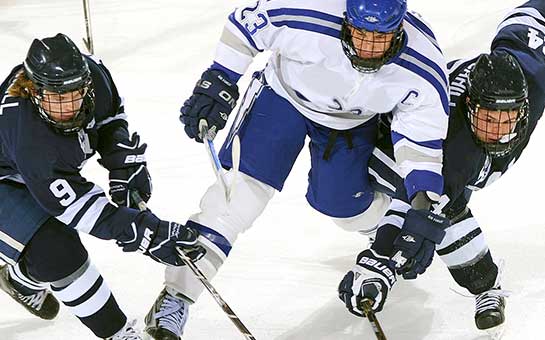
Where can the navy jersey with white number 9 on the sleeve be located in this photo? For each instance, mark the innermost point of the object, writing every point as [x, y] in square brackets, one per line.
[49, 163]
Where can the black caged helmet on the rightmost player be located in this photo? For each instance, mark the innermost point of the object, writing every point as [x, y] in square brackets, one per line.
[497, 84]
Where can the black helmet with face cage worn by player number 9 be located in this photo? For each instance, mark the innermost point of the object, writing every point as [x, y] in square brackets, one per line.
[56, 67]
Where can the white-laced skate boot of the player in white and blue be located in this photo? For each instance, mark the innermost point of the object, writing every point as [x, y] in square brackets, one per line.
[167, 317]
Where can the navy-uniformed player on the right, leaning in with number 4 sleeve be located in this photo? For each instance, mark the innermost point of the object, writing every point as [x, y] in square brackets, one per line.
[496, 101]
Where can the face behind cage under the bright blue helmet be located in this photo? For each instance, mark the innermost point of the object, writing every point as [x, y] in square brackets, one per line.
[370, 45]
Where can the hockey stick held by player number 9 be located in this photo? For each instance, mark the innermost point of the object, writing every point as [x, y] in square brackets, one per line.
[201, 277]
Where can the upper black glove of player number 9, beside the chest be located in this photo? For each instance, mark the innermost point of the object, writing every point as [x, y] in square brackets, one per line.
[127, 164]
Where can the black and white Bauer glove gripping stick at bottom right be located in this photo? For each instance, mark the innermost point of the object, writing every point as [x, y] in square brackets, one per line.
[371, 278]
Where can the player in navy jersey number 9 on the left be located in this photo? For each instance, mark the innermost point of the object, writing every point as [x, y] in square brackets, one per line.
[56, 110]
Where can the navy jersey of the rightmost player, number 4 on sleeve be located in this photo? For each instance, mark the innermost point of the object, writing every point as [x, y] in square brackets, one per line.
[466, 166]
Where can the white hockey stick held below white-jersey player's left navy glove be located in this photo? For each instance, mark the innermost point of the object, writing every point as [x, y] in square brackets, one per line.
[207, 137]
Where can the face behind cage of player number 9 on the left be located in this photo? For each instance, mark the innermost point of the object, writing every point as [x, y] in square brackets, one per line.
[62, 107]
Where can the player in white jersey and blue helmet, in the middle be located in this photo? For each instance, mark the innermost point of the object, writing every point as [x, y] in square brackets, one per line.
[335, 65]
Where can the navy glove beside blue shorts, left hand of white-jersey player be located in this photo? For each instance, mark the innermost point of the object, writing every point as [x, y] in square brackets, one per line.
[213, 99]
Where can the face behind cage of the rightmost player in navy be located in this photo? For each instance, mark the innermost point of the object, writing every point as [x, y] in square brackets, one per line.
[492, 125]
